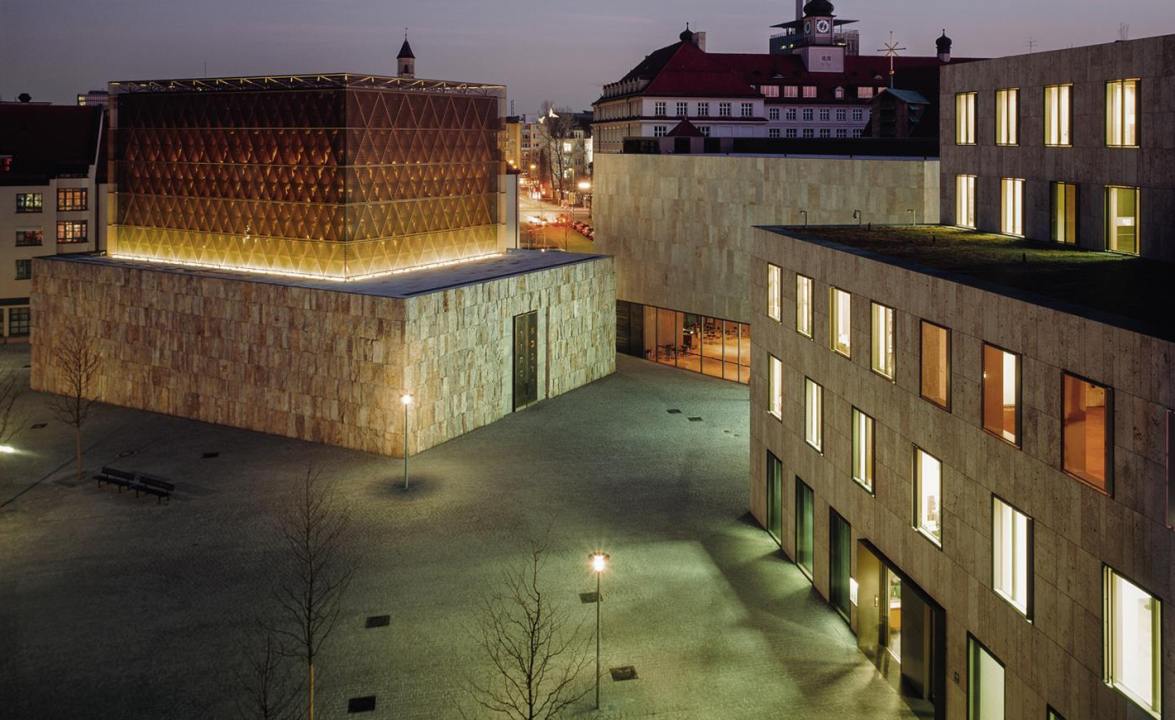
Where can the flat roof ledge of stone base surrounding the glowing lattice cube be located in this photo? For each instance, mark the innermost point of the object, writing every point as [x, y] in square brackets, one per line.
[404, 285]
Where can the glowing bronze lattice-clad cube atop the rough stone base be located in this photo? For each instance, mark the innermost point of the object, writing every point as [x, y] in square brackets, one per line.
[338, 177]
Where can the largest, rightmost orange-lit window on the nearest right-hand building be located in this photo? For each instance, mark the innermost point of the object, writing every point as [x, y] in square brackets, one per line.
[1086, 436]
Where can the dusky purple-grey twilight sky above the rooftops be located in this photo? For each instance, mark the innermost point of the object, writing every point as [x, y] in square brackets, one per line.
[543, 50]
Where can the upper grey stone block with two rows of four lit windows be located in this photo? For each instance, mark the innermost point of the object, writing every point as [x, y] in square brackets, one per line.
[1072, 147]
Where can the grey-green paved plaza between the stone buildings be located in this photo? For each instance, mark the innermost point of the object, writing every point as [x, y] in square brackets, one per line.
[113, 607]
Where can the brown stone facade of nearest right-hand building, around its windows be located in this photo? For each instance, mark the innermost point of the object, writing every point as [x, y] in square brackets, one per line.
[1057, 658]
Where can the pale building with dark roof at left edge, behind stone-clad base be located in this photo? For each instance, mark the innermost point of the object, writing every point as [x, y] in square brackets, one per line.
[51, 197]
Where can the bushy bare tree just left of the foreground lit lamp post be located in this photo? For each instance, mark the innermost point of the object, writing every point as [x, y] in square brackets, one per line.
[536, 656]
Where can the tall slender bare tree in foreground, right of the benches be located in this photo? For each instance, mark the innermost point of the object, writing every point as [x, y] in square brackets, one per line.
[314, 529]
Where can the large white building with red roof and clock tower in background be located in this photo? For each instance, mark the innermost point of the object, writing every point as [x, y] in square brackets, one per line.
[816, 88]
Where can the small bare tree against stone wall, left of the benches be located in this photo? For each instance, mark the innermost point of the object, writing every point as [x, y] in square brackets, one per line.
[77, 361]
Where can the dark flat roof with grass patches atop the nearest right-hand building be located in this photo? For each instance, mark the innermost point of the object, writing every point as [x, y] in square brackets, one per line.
[1127, 292]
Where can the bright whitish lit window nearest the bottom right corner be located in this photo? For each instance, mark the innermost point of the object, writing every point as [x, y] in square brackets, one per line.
[1133, 642]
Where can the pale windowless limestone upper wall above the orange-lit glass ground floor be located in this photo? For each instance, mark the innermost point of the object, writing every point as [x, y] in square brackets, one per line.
[681, 226]
